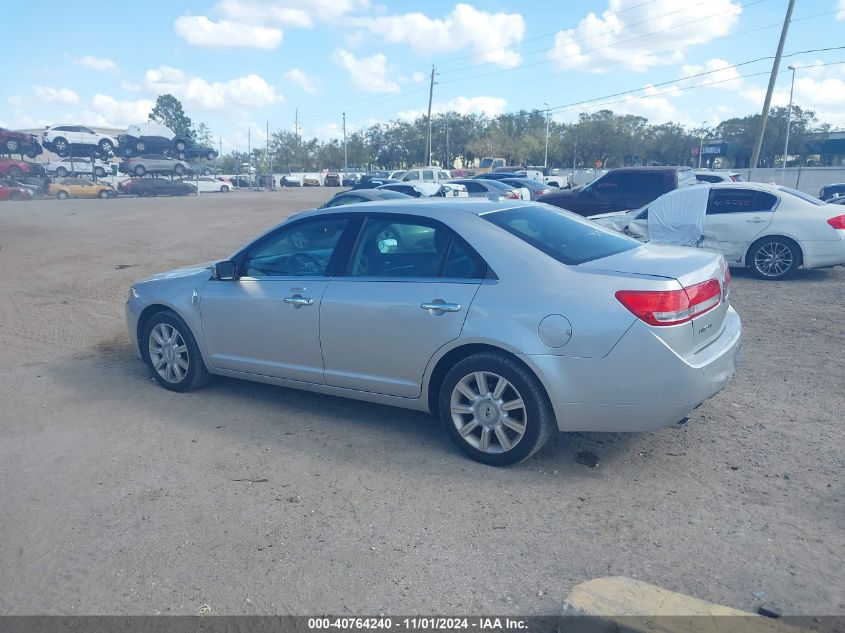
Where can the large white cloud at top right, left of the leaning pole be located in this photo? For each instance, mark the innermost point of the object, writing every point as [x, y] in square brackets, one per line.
[657, 26]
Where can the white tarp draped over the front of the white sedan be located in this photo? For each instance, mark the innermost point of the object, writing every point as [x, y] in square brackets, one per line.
[678, 216]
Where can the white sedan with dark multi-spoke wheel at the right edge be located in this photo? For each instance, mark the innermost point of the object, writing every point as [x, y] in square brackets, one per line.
[770, 229]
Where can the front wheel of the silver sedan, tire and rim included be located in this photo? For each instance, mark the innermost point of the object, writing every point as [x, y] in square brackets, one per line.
[172, 354]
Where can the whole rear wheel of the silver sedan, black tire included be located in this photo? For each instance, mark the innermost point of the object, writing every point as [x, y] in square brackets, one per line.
[502, 422]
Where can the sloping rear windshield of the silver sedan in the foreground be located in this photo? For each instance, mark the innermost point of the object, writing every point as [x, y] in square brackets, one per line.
[562, 235]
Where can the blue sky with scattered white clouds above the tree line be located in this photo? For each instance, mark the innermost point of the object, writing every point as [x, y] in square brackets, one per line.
[237, 64]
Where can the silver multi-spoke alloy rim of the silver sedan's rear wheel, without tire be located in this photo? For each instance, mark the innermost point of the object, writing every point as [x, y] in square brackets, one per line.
[488, 412]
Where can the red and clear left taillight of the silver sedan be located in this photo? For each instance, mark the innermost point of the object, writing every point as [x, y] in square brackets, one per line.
[671, 307]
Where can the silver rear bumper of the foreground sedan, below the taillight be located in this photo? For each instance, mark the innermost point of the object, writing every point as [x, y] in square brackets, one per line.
[641, 385]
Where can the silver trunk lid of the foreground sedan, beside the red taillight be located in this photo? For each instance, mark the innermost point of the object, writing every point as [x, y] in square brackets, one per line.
[638, 268]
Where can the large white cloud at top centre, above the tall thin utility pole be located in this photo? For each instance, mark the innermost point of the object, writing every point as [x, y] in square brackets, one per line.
[489, 35]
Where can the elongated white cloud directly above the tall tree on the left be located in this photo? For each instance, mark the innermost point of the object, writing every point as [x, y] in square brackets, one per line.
[195, 92]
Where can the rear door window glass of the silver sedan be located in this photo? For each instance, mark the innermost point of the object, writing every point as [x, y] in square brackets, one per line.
[412, 248]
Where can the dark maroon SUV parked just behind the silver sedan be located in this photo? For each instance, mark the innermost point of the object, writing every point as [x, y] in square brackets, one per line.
[621, 189]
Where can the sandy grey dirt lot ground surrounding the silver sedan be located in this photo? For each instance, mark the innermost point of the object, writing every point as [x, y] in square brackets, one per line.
[120, 497]
